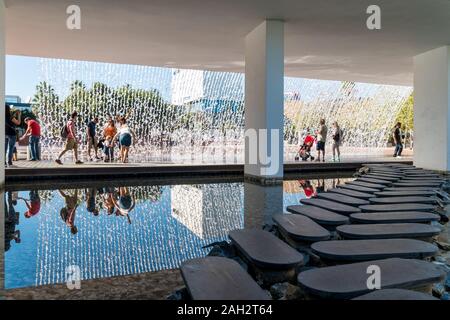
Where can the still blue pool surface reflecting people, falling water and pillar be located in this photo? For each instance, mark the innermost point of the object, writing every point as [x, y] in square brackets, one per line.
[112, 231]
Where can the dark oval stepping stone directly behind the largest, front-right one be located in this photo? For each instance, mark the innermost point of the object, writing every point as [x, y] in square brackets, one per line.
[363, 250]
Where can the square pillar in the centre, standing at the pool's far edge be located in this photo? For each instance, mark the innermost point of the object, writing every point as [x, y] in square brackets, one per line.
[264, 76]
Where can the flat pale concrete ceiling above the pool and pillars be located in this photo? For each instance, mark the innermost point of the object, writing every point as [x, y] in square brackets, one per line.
[323, 39]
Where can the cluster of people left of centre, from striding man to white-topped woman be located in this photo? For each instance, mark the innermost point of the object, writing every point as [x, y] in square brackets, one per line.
[124, 135]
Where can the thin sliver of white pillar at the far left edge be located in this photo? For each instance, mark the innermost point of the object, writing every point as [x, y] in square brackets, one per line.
[2, 93]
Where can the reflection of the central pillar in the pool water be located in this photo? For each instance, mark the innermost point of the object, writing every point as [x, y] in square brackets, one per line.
[261, 203]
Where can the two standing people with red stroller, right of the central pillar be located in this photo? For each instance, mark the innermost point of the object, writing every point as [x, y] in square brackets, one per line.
[320, 137]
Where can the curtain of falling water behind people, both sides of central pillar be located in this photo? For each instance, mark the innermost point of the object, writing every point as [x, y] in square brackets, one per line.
[198, 116]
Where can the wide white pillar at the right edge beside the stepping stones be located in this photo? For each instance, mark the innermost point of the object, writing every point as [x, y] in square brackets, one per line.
[431, 109]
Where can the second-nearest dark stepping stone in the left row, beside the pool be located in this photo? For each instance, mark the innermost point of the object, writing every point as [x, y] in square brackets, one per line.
[265, 250]
